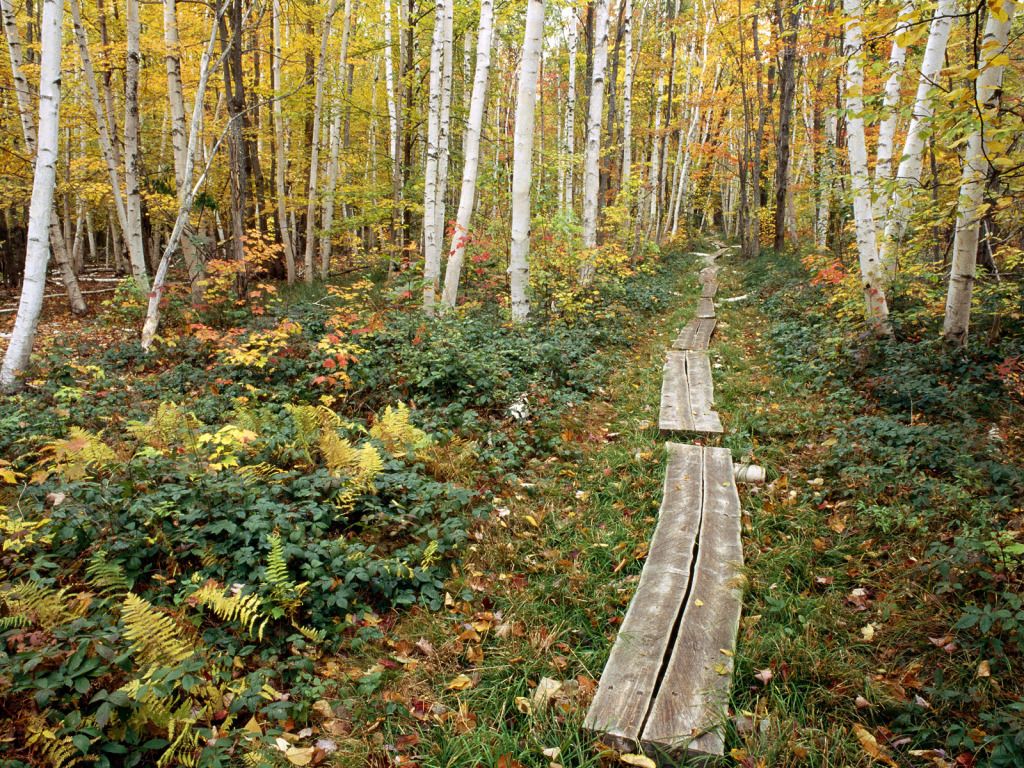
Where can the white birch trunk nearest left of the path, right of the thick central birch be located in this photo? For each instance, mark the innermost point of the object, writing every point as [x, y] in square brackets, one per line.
[592, 156]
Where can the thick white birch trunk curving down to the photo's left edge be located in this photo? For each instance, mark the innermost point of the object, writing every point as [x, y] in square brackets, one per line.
[41, 208]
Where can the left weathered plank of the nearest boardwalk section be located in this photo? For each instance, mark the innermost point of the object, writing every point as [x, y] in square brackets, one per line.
[630, 677]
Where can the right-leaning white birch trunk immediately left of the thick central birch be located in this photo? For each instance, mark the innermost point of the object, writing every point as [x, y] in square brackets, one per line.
[467, 197]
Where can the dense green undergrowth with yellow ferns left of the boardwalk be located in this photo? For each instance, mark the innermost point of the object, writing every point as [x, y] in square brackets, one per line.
[191, 538]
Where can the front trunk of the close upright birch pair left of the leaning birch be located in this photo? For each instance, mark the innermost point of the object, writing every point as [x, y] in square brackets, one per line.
[432, 238]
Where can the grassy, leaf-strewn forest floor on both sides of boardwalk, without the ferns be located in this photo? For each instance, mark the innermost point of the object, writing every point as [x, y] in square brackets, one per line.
[882, 620]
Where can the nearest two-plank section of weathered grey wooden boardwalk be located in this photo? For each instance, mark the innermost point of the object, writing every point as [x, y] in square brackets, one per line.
[666, 684]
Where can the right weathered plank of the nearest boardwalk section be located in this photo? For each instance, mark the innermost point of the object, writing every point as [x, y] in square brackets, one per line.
[690, 708]
